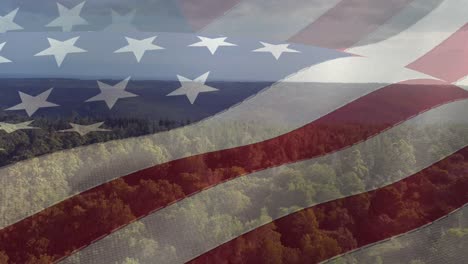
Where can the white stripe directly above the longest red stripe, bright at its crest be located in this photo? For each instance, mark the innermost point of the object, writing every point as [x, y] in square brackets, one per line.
[288, 105]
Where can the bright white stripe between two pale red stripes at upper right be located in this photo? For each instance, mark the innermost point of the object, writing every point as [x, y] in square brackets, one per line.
[417, 40]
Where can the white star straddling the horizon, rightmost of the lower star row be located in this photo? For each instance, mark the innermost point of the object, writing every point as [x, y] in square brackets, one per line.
[191, 88]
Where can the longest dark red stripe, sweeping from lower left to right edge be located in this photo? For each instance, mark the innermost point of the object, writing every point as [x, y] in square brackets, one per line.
[79, 220]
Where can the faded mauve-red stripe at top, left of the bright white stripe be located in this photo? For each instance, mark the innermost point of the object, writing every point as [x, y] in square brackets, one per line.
[348, 22]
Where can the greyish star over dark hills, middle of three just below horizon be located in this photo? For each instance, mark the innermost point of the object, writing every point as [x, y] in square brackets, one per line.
[110, 94]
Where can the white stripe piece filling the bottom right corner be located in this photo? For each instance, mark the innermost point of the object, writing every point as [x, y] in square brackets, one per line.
[435, 243]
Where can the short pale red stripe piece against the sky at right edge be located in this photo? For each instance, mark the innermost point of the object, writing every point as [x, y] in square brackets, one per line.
[449, 60]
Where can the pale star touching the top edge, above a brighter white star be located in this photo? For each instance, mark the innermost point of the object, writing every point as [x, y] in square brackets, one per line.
[68, 17]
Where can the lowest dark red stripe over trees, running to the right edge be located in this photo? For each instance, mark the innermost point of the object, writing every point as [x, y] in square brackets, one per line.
[326, 230]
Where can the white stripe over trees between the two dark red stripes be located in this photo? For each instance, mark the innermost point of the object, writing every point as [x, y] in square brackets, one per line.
[210, 218]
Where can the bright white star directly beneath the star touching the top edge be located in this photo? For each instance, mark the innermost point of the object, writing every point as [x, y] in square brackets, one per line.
[60, 49]
